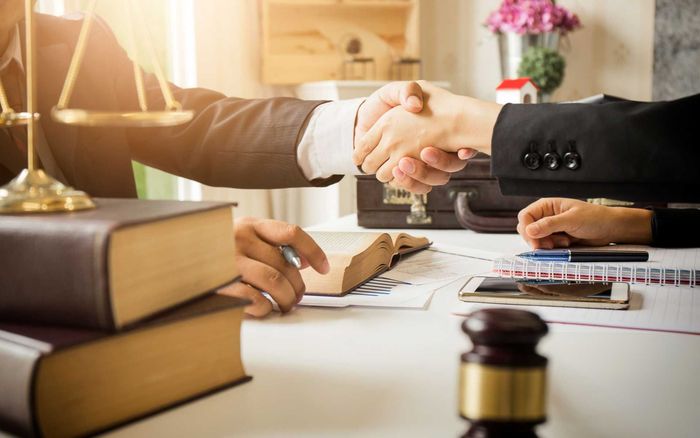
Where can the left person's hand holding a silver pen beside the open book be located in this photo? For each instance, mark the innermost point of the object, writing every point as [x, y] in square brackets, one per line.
[263, 268]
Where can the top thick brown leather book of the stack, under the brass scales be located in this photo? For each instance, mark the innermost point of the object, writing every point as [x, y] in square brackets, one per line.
[115, 265]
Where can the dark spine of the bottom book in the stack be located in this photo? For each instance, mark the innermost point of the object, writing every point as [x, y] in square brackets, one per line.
[17, 369]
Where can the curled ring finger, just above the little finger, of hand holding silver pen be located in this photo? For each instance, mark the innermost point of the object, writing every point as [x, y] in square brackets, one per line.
[270, 280]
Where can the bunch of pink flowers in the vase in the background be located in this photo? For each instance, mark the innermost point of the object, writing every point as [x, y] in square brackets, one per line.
[532, 16]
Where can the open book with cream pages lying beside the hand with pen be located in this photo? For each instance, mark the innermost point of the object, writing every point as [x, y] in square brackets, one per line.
[356, 258]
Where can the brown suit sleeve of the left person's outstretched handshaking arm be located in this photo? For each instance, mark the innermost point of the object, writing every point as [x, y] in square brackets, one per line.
[231, 142]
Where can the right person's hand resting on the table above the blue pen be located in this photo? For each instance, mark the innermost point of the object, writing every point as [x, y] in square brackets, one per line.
[561, 222]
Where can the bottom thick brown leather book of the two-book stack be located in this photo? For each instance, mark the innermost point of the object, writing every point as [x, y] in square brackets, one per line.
[61, 382]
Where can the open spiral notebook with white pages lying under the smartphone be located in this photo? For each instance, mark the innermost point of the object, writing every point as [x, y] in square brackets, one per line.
[659, 300]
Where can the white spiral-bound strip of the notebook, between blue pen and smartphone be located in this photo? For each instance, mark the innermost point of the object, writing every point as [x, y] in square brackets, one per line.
[649, 273]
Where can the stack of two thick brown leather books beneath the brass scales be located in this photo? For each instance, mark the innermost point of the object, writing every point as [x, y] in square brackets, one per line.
[109, 315]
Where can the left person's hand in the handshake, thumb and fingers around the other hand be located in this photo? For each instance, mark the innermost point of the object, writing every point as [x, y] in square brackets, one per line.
[418, 176]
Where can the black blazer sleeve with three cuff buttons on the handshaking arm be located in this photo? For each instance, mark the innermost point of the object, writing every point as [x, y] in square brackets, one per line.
[643, 151]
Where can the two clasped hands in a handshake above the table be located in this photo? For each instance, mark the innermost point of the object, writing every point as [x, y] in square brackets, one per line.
[415, 134]
